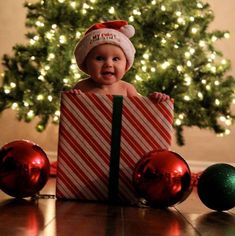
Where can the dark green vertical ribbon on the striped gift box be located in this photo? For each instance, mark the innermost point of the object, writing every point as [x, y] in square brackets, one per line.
[113, 187]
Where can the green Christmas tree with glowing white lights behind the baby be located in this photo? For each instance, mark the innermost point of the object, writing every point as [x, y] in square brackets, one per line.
[176, 55]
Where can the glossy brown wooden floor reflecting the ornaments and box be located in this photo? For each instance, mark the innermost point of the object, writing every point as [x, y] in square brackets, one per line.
[51, 217]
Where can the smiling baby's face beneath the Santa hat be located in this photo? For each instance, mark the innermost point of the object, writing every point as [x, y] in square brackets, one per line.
[106, 64]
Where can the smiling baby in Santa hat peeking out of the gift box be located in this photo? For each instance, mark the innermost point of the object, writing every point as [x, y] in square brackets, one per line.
[106, 53]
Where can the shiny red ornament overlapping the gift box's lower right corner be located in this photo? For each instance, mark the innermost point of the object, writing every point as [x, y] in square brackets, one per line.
[163, 178]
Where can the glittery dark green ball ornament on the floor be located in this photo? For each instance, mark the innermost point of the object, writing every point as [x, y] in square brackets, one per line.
[216, 187]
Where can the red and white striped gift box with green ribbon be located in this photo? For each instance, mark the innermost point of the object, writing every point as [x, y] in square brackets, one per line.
[101, 138]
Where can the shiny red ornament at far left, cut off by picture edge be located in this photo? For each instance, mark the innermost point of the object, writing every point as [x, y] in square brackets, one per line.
[24, 168]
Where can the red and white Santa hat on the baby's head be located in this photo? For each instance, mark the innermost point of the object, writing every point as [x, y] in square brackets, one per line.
[111, 32]
